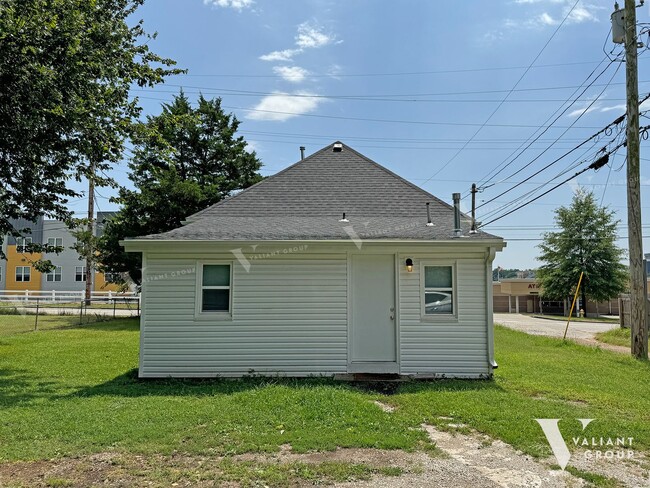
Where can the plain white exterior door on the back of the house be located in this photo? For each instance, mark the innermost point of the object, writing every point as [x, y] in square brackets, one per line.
[373, 330]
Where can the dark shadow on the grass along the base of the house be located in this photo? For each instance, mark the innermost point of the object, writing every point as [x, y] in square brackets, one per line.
[129, 385]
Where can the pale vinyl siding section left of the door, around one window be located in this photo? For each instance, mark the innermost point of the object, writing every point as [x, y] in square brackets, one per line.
[288, 317]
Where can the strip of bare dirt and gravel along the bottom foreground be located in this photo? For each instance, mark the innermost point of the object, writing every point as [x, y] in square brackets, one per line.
[468, 461]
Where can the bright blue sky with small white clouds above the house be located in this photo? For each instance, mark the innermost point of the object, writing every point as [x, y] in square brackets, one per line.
[410, 84]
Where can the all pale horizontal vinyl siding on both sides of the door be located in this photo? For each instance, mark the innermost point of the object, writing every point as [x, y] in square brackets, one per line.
[290, 316]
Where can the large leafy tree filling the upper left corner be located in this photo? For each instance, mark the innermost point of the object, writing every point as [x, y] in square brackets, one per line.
[66, 68]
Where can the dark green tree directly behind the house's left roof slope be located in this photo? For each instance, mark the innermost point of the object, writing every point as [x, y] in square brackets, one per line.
[184, 160]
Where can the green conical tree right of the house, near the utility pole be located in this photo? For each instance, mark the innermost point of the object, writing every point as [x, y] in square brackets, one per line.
[586, 242]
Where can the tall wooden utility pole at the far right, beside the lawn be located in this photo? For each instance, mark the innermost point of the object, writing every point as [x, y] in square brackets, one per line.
[638, 299]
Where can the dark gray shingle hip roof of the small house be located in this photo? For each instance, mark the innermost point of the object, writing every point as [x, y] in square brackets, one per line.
[307, 200]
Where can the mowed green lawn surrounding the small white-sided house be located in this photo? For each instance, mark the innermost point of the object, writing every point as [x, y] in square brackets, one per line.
[73, 391]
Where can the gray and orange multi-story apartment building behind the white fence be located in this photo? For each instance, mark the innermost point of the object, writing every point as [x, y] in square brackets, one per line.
[18, 274]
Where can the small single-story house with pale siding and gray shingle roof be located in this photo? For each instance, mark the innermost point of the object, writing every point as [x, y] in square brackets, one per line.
[334, 265]
